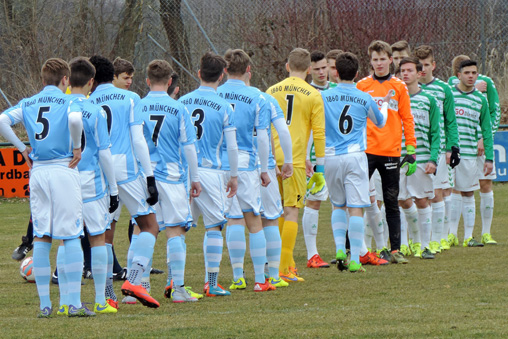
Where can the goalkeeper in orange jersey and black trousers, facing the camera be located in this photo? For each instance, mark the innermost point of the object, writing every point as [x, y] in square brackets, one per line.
[384, 144]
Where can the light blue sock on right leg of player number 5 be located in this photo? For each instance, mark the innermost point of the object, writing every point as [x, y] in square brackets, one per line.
[74, 270]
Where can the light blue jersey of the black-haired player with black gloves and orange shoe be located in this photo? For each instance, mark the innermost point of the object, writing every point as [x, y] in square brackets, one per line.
[119, 107]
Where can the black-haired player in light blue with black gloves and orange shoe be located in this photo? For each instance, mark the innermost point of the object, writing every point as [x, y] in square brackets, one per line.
[136, 191]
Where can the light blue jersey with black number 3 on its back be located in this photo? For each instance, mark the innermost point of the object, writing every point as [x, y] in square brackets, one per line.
[211, 116]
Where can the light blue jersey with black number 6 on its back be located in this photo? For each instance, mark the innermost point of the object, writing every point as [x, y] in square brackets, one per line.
[346, 112]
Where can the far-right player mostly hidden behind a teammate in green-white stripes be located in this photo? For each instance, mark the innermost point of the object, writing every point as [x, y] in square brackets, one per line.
[485, 85]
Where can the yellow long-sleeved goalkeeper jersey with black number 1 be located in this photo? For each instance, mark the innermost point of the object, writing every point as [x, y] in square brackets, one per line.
[304, 111]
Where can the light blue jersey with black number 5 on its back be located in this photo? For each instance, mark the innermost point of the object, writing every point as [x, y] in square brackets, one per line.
[45, 116]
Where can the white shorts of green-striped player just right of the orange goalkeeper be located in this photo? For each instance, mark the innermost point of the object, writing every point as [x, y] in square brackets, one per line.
[418, 185]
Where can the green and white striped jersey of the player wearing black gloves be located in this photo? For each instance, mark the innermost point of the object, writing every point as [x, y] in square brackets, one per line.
[442, 92]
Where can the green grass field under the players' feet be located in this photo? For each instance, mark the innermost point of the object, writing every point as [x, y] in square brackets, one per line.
[462, 293]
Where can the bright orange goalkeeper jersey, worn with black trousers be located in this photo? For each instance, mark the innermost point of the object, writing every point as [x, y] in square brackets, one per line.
[386, 141]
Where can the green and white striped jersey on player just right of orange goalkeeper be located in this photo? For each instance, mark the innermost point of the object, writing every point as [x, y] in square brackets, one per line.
[426, 116]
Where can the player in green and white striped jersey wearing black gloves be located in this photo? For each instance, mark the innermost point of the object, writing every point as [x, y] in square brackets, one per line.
[449, 147]
